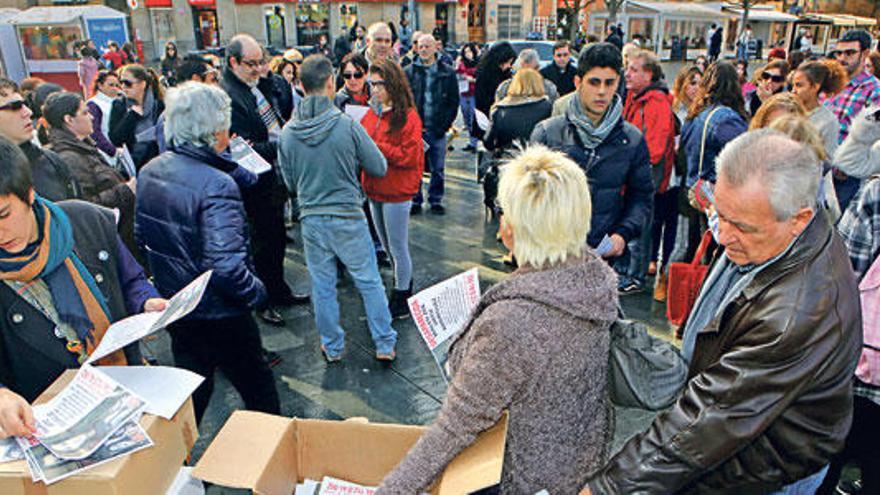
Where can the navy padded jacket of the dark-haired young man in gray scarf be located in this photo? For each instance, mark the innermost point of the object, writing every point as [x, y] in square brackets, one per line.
[618, 172]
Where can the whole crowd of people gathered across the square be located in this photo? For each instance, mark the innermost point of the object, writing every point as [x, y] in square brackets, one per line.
[602, 176]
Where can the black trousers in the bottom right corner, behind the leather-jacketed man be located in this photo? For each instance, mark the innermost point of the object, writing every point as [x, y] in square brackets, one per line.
[862, 446]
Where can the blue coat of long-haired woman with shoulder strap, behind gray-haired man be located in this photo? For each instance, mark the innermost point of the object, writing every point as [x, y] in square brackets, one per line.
[725, 125]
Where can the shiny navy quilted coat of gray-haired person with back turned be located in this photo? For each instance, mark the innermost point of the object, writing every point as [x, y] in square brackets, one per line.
[190, 218]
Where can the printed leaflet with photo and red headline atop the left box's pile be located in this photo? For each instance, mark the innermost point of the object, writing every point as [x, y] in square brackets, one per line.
[76, 422]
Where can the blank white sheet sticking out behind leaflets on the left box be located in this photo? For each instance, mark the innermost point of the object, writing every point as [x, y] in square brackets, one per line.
[163, 388]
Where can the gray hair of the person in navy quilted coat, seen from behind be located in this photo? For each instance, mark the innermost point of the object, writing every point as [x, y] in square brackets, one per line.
[187, 119]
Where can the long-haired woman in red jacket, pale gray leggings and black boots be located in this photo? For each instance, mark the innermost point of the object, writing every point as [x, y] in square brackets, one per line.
[395, 127]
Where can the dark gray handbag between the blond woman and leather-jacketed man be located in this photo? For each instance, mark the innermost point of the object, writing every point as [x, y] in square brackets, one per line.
[644, 371]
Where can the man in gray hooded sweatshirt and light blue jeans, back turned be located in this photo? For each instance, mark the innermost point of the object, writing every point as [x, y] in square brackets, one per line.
[321, 154]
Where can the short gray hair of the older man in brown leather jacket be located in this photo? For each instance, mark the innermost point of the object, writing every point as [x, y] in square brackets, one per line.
[789, 171]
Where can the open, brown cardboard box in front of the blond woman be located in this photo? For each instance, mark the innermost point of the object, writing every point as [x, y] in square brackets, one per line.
[270, 454]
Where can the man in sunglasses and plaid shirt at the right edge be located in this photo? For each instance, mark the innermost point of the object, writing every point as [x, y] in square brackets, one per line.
[862, 90]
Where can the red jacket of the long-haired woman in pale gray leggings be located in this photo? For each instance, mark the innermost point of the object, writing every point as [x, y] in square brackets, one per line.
[405, 155]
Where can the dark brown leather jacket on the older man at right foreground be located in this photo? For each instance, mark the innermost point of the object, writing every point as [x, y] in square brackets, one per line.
[769, 399]
